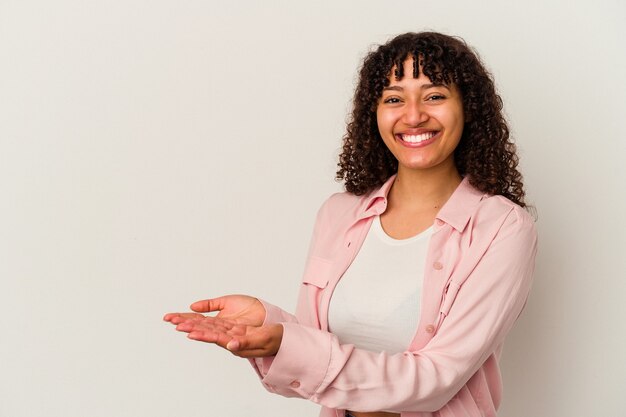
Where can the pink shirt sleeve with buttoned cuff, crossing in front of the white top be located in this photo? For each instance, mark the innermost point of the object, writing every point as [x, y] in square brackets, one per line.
[312, 364]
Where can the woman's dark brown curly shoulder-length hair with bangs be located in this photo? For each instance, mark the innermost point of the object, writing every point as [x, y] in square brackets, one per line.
[485, 152]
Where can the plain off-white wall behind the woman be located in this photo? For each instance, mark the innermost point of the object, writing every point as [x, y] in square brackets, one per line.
[153, 153]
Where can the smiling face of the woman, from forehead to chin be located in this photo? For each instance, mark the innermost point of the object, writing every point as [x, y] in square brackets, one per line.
[421, 123]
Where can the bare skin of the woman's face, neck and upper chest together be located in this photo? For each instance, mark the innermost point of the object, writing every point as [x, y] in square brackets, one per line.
[427, 175]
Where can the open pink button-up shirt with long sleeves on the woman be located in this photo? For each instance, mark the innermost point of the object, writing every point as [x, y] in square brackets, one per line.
[478, 274]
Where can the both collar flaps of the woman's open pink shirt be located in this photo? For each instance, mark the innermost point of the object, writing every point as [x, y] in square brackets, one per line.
[456, 211]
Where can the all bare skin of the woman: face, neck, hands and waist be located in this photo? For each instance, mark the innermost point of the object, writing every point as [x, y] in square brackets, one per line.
[427, 176]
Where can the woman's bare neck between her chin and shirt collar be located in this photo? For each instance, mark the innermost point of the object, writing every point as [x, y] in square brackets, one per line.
[424, 189]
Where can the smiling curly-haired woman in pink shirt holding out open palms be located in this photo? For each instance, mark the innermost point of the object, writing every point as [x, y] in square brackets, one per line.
[428, 256]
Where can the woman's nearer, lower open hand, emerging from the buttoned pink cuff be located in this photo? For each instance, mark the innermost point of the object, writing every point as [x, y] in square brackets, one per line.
[246, 341]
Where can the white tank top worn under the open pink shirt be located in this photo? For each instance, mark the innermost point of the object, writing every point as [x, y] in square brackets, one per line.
[376, 304]
